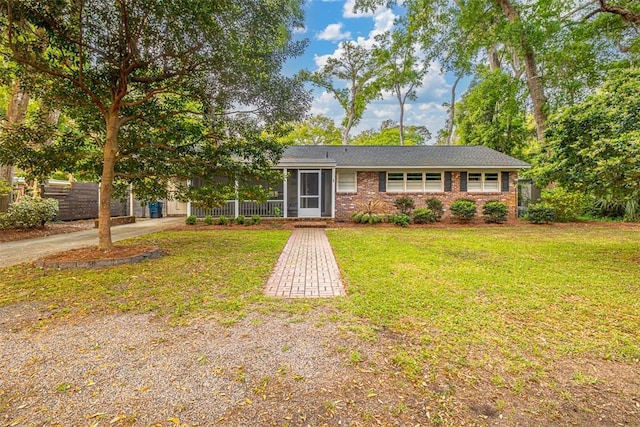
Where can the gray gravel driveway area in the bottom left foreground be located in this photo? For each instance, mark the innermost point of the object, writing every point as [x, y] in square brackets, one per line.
[127, 369]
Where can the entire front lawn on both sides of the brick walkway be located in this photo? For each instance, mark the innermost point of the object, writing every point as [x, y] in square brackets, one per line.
[526, 322]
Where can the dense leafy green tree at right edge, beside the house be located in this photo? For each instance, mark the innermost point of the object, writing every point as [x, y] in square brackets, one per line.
[594, 146]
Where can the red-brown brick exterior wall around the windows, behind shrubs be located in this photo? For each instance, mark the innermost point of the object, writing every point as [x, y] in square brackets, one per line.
[368, 191]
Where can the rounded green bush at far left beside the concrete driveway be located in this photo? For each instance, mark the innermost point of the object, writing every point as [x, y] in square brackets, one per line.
[29, 212]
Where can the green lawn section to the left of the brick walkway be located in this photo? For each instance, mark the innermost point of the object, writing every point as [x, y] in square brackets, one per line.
[217, 273]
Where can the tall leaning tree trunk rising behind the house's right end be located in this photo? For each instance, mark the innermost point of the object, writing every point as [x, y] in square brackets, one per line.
[536, 90]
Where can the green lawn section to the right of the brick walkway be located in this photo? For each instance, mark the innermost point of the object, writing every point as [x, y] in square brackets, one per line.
[518, 295]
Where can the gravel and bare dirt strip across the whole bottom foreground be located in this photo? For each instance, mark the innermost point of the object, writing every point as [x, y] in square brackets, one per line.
[273, 370]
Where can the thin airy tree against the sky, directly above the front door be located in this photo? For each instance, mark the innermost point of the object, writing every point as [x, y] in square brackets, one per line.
[356, 69]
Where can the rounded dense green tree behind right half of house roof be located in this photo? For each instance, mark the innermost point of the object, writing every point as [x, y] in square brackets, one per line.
[492, 113]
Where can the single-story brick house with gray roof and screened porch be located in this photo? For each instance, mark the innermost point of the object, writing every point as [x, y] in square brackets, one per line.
[323, 181]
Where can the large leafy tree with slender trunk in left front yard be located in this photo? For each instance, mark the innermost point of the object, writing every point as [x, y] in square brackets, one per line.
[157, 84]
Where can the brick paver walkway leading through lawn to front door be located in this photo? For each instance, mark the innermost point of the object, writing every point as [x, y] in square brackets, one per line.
[306, 268]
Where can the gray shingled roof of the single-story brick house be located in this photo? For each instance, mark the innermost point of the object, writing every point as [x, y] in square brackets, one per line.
[453, 156]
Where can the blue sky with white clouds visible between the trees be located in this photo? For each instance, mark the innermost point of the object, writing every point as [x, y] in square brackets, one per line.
[329, 22]
